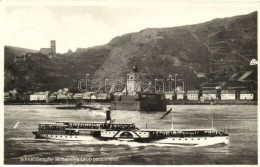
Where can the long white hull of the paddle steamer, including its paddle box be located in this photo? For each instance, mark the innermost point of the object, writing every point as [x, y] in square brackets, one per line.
[142, 139]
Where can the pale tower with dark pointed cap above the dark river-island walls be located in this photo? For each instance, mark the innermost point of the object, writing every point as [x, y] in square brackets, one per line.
[133, 82]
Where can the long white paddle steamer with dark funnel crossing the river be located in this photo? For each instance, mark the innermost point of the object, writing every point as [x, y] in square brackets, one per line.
[103, 131]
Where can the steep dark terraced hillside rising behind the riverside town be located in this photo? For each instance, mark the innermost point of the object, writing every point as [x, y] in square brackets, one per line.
[201, 54]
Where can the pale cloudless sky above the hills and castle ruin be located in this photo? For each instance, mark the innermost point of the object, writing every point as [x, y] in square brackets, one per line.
[72, 26]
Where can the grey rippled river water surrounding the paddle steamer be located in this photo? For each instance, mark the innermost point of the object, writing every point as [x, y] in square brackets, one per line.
[21, 148]
